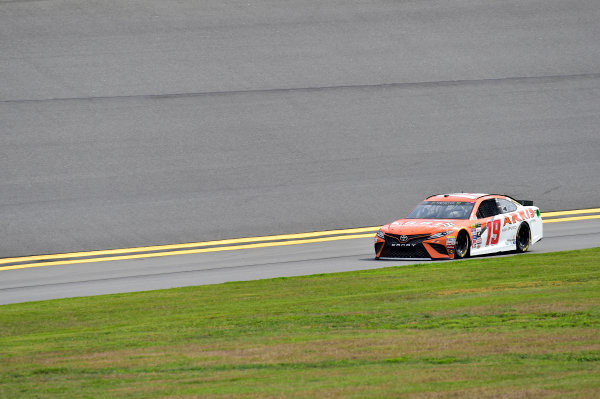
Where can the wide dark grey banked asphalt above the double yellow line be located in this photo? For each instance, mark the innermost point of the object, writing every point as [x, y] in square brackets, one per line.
[133, 123]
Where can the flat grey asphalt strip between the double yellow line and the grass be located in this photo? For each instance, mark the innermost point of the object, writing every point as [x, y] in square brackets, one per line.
[108, 277]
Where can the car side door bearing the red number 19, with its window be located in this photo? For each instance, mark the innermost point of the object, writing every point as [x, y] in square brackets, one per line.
[487, 230]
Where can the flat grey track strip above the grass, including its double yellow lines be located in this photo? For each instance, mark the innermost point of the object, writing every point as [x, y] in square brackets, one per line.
[136, 269]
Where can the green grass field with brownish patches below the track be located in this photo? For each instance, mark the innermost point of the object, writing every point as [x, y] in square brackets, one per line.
[525, 326]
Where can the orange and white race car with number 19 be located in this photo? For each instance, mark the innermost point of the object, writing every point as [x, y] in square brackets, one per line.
[455, 226]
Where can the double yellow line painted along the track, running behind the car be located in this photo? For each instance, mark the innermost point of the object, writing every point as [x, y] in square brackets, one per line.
[231, 244]
